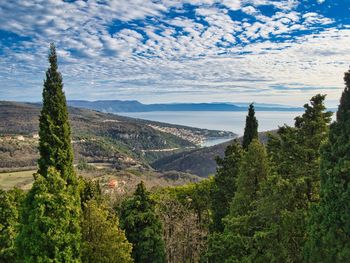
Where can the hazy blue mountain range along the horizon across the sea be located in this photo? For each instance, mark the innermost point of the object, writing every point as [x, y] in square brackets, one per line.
[115, 106]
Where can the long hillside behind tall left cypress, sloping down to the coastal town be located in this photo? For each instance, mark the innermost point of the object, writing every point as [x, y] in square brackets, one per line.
[97, 137]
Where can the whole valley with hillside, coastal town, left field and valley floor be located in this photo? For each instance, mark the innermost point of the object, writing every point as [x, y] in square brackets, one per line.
[107, 143]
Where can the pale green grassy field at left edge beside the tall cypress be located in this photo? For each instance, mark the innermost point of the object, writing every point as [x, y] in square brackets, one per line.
[23, 180]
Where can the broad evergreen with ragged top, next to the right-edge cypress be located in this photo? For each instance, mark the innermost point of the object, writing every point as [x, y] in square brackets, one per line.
[287, 193]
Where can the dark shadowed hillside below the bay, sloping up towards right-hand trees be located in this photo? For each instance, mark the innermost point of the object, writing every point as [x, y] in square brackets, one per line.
[200, 162]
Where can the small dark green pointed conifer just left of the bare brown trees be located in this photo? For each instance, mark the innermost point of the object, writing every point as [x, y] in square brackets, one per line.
[143, 227]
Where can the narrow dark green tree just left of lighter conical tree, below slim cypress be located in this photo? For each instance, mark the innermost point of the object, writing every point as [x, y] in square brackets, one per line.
[224, 185]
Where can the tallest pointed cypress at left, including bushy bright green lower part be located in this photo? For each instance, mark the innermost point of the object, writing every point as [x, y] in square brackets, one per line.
[50, 217]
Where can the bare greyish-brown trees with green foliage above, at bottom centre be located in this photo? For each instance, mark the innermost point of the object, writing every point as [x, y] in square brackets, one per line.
[184, 211]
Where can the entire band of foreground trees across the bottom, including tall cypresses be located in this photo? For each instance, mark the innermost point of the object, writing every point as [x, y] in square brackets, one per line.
[283, 201]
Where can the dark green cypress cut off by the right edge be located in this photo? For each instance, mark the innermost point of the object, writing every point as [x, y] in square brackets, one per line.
[329, 225]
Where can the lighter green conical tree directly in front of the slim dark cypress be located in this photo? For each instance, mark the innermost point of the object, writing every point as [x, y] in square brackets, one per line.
[236, 244]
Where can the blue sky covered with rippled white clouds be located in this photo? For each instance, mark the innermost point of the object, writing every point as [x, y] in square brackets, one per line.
[267, 51]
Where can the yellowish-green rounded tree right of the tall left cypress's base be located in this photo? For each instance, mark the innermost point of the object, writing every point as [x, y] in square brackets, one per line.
[103, 240]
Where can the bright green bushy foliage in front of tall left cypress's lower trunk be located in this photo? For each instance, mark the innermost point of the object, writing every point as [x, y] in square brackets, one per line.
[50, 221]
